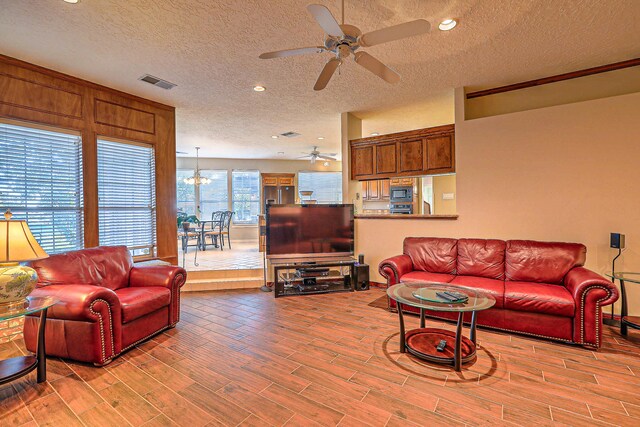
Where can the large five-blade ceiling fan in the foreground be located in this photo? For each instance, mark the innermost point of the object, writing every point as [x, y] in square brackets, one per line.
[343, 40]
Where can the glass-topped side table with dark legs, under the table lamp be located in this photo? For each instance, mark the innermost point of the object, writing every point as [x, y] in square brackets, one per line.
[16, 367]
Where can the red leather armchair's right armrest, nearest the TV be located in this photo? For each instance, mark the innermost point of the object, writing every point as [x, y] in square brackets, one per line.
[167, 276]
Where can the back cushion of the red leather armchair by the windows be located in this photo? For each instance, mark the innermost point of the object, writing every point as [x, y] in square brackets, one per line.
[106, 266]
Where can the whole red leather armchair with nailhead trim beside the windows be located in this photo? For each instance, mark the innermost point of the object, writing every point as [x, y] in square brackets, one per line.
[107, 305]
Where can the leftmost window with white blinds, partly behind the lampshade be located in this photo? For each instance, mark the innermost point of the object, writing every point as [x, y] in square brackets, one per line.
[41, 182]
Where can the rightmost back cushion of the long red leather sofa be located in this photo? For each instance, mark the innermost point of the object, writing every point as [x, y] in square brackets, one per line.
[544, 262]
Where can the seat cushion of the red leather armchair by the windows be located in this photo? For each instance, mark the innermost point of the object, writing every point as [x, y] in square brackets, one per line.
[139, 301]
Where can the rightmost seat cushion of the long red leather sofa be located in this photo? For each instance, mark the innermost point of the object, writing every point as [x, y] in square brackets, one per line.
[539, 298]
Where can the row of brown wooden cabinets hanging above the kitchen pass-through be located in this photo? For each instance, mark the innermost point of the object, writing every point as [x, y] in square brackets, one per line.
[417, 152]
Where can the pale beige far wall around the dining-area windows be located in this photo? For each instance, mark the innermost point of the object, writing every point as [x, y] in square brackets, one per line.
[250, 232]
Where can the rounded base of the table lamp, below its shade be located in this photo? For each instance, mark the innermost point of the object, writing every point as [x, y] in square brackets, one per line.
[16, 282]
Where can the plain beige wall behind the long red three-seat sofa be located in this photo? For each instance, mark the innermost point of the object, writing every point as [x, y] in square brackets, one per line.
[563, 173]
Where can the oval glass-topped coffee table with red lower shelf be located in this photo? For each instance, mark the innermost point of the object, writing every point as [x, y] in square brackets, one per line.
[423, 342]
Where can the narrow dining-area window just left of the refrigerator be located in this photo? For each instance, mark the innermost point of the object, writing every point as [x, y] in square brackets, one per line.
[246, 196]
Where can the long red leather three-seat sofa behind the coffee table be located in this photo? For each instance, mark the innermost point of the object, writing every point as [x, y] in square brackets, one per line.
[541, 288]
